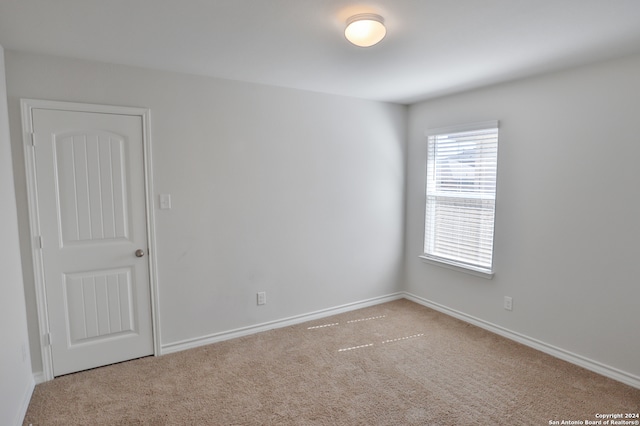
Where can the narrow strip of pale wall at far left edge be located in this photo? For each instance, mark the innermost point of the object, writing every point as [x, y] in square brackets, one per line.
[16, 380]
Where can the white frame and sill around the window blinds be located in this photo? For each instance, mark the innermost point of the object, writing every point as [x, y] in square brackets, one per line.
[444, 261]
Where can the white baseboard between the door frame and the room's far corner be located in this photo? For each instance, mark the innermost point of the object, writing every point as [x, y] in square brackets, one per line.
[285, 322]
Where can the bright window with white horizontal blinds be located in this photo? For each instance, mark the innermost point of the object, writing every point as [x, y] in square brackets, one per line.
[461, 196]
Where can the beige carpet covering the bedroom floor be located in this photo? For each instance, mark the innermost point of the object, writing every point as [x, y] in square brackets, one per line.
[397, 363]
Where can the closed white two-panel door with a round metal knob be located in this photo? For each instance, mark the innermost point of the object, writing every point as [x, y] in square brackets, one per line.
[91, 204]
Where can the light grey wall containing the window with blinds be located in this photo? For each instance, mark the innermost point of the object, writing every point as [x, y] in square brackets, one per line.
[568, 205]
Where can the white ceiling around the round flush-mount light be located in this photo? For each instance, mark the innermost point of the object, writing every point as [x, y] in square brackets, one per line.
[432, 47]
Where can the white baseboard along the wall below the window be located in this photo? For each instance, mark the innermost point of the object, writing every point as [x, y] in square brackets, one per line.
[595, 366]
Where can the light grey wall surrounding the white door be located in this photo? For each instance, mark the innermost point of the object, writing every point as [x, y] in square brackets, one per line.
[294, 193]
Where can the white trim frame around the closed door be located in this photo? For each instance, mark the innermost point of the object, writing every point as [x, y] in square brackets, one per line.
[27, 106]
